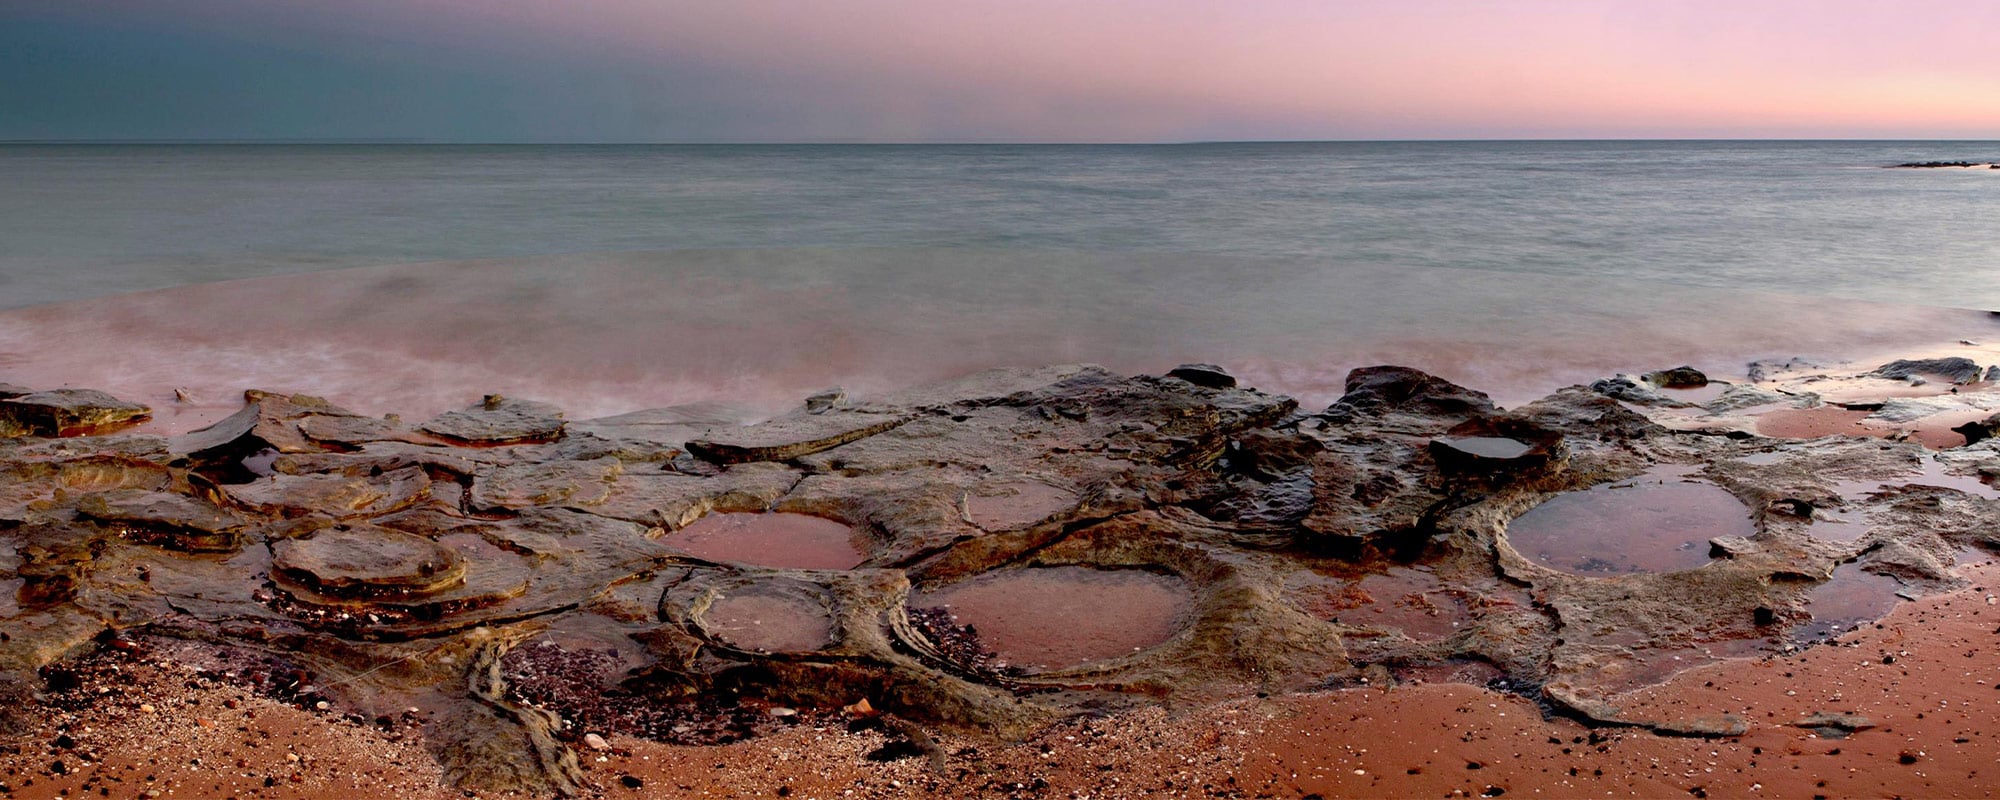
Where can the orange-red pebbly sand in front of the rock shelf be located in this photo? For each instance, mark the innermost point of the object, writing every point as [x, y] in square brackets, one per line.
[1925, 679]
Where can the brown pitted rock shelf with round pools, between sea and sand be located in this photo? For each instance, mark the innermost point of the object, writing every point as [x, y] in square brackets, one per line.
[1275, 549]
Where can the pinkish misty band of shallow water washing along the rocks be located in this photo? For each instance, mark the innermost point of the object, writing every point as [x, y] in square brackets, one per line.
[605, 335]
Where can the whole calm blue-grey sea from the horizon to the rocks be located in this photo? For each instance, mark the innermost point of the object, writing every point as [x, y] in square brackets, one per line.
[623, 277]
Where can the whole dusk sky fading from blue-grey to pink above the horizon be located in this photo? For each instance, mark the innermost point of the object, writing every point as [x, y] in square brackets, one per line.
[995, 71]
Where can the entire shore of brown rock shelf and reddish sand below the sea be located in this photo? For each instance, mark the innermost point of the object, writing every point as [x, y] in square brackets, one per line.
[1285, 601]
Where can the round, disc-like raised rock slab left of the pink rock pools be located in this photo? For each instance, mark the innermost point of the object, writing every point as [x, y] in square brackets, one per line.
[369, 563]
